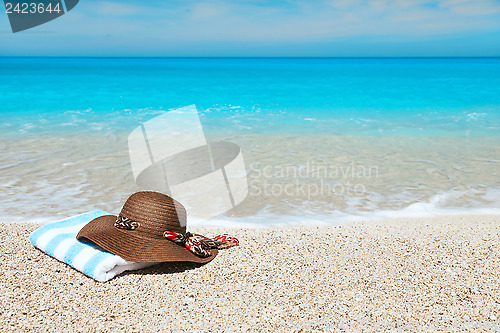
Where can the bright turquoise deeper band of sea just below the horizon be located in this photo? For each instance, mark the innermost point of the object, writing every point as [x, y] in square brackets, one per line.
[393, 96]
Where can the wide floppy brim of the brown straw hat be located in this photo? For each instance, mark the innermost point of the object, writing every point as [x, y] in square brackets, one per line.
[132, 246]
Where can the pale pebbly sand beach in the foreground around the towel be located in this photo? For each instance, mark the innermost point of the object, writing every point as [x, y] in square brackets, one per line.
[420, 274]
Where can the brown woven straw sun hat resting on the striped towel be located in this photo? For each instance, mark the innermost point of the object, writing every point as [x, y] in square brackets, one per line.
[148, 215]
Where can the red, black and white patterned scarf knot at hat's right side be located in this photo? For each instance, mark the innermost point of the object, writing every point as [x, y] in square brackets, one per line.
[200, 245]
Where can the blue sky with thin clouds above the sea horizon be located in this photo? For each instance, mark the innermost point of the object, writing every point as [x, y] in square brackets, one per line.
[264, 28]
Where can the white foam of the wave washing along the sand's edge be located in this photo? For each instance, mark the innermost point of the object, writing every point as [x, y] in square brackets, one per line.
[441, 204]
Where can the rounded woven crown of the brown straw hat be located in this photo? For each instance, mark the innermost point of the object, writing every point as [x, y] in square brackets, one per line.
[155, 212]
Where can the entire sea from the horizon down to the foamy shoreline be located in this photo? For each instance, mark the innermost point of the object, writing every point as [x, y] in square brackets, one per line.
[429, 127]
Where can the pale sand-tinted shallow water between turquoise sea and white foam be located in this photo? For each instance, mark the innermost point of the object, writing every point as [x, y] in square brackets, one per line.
[47, 177]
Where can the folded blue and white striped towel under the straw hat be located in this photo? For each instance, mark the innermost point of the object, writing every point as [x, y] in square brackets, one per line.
[58, 239]
